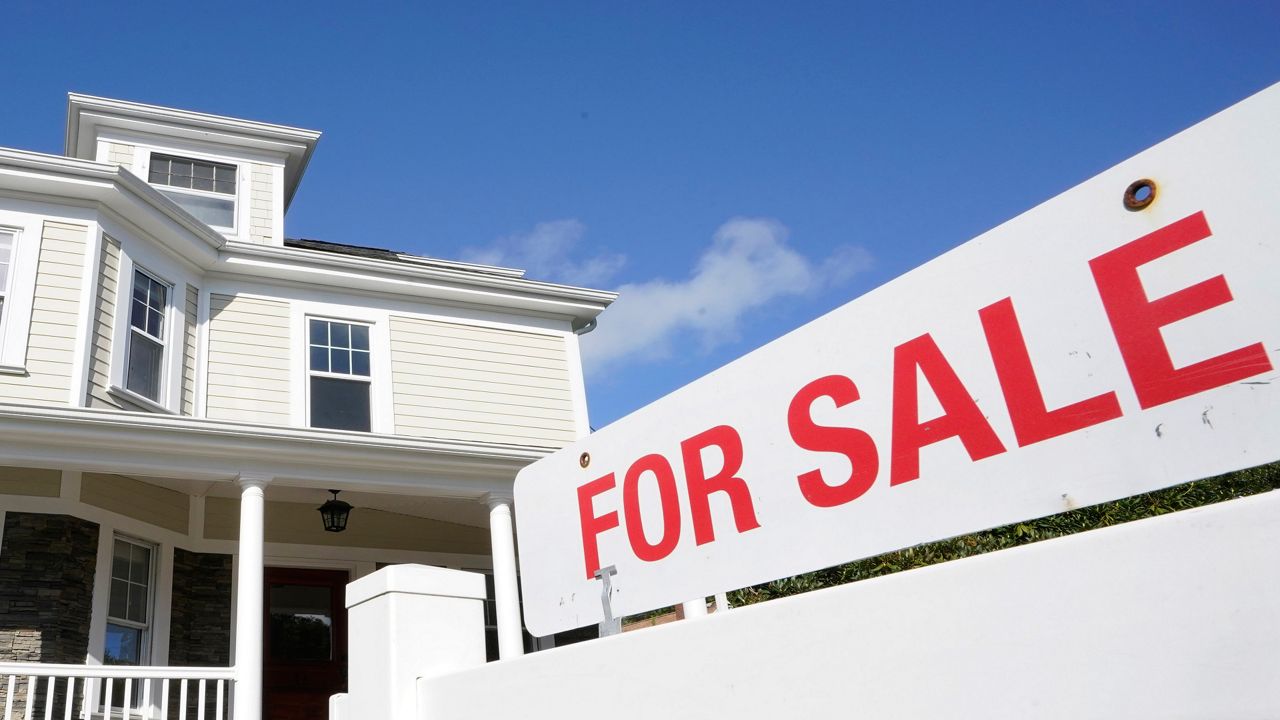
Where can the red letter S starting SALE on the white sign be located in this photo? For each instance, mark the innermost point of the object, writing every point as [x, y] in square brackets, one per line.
[853, 444]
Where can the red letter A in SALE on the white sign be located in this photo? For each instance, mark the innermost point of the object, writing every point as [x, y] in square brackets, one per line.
[961, 414]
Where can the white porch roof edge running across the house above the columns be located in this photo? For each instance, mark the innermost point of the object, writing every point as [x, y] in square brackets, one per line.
[200, 450]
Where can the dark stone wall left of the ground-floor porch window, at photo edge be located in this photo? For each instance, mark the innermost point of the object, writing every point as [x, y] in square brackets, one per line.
[47, 587]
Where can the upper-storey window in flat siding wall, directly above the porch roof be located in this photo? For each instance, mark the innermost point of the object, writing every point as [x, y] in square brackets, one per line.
[340, 377]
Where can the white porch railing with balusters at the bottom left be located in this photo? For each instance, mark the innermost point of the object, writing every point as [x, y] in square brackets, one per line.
[111, 692]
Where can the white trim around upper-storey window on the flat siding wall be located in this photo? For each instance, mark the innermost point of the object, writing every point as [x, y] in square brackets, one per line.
[382, 420]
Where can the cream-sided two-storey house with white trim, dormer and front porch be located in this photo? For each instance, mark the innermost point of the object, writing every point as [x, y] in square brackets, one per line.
[182, 386]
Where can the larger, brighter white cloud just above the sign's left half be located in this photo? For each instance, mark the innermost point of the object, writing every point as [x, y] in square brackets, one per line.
[749, 265]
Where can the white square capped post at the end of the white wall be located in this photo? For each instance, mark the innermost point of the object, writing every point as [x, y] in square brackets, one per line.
[408, 622]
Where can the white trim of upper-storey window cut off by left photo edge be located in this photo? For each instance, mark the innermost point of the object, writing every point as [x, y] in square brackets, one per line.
[20, 299]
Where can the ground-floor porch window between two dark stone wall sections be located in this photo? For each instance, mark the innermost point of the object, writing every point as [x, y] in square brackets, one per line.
[129, 614]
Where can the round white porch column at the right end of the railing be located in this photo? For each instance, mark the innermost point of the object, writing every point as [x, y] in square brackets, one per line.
[249, 599]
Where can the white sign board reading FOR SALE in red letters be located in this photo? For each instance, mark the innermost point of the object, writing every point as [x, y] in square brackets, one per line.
[1081, 353]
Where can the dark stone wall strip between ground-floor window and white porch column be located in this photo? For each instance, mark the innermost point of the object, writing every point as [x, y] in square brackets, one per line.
[202, 622]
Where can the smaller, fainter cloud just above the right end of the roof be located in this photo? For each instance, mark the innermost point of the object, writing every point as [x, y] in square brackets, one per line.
[546, 256]
